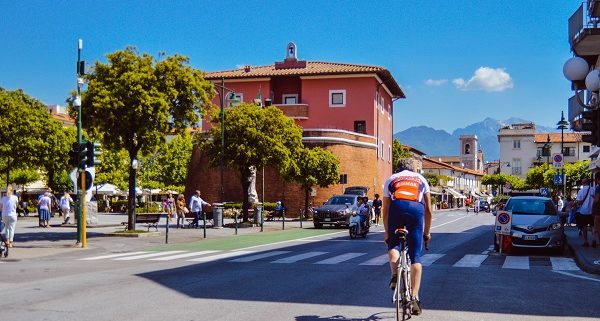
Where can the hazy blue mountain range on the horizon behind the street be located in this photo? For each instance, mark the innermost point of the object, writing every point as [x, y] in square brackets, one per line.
[437, 142]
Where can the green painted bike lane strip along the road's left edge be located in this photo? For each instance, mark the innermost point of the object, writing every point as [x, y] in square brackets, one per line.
[238, 242]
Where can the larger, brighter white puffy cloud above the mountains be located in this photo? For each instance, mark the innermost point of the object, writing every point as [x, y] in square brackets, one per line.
[487, 79]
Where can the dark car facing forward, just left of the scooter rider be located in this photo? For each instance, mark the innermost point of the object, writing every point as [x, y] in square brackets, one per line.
[336, 211]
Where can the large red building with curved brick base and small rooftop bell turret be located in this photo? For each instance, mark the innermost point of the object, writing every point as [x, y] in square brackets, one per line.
[344, 108]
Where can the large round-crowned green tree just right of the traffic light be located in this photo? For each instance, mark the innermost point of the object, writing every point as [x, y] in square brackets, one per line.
[133, 101]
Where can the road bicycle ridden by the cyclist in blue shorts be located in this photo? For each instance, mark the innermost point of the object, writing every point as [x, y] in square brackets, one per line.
[402, 291]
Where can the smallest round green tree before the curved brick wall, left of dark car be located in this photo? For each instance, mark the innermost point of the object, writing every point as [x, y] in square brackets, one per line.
[316, 166]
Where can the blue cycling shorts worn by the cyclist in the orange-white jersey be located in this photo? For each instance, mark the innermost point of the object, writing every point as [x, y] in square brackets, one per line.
[411, 215]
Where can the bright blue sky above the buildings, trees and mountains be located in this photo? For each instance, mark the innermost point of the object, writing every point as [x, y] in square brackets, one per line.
[458, 61]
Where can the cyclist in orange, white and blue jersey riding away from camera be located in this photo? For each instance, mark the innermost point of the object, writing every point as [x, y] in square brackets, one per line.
[406, 202]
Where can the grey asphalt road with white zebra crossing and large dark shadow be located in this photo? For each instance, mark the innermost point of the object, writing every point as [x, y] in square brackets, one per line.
[323, 277]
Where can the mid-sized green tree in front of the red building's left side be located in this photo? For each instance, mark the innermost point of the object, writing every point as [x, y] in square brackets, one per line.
[256, 137]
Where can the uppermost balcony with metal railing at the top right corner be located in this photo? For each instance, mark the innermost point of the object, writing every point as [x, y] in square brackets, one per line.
[584, 34]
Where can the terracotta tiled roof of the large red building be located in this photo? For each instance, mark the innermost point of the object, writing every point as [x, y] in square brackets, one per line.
[313, 68]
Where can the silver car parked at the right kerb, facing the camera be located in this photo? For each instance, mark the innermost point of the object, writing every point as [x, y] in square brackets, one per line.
[535, 223]
